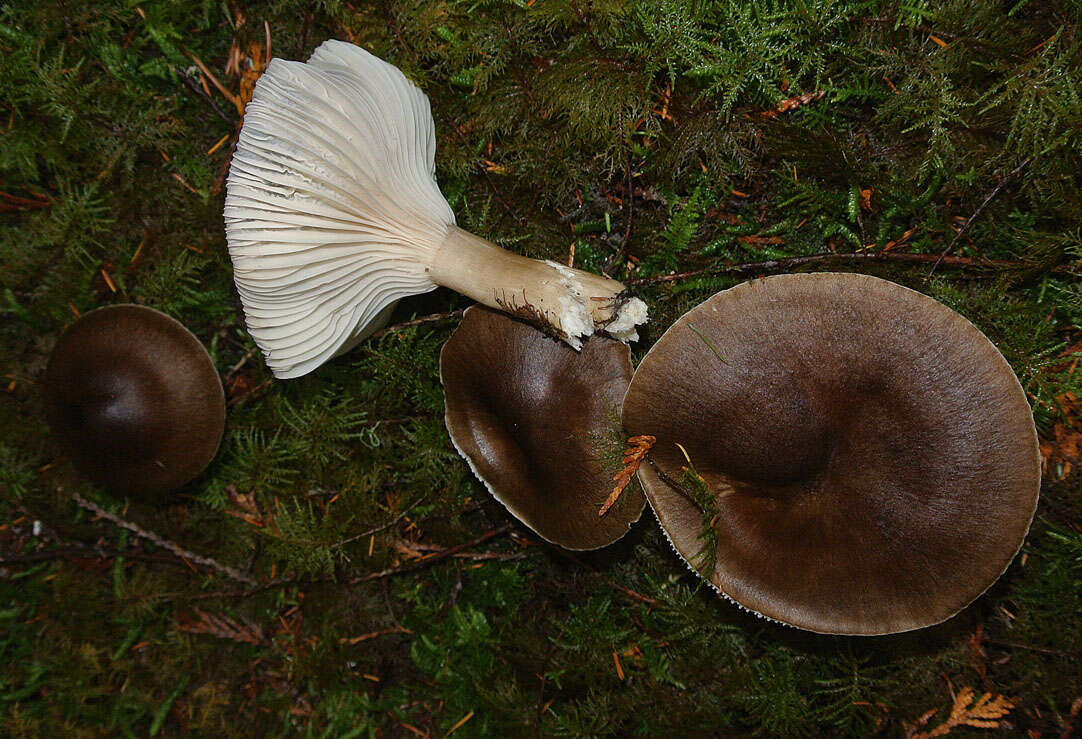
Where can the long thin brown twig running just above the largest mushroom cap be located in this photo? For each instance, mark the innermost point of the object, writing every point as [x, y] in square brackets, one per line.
[790, 262]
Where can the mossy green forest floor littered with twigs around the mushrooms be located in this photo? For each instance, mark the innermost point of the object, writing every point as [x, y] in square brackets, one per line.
[374, 586]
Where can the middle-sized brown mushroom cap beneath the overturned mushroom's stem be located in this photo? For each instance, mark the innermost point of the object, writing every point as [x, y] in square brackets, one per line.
[525, 410]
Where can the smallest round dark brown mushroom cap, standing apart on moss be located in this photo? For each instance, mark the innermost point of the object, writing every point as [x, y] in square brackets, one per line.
[135, 400]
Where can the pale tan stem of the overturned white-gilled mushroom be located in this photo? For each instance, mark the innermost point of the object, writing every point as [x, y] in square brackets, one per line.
[571, 302]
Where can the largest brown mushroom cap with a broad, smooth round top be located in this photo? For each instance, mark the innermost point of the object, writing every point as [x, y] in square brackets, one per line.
[875, 456]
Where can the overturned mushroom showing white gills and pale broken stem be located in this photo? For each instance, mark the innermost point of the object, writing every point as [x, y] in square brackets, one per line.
[333, 215]
